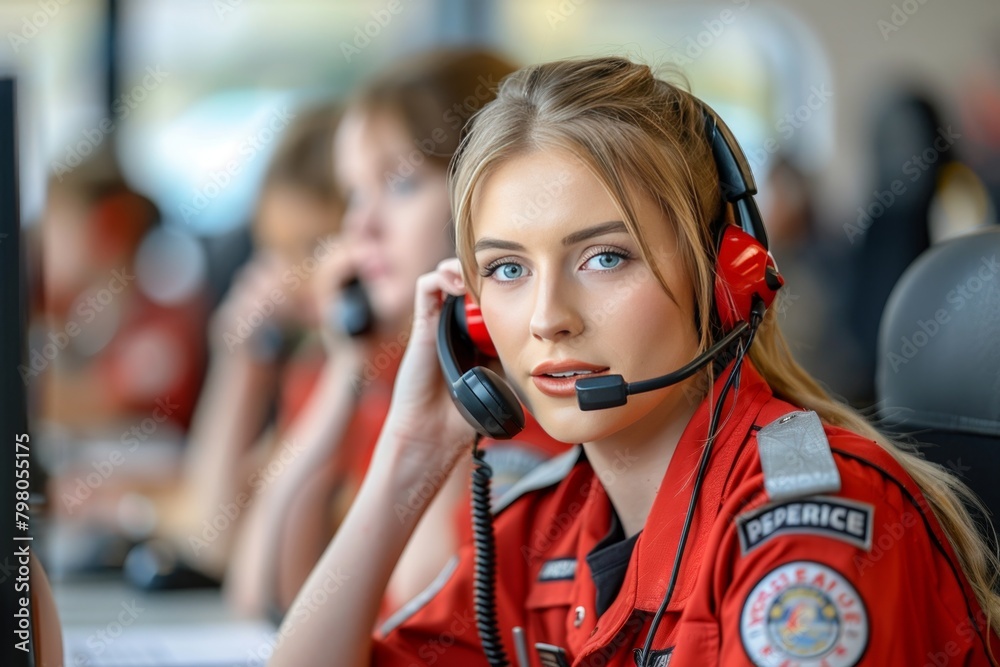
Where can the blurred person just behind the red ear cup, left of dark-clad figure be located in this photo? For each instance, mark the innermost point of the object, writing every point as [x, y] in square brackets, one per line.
[812, 308]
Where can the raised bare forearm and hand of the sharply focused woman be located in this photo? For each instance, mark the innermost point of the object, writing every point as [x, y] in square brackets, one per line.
[422, 438]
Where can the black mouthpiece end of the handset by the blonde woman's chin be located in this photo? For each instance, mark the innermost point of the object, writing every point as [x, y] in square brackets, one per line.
[488, 404]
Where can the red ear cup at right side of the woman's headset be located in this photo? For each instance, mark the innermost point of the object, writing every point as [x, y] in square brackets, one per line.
[744, 270]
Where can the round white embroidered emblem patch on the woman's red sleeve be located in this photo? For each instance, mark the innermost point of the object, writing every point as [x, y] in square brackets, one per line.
[807, 614]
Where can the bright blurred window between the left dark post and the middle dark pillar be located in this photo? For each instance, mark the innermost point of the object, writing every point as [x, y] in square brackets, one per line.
[236, 70]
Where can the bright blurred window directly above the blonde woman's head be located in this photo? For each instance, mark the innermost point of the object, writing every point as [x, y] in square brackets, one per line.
[753, 67]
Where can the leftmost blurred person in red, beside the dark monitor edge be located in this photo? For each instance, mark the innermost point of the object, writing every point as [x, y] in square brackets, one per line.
[124, 350]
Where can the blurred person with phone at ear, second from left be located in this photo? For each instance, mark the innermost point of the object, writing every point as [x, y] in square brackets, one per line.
[266, 354]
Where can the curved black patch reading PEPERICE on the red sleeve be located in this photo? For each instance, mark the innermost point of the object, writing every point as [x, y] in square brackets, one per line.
[838, 518]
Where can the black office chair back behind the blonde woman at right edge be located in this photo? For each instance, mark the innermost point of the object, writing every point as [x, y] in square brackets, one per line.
[938, 374]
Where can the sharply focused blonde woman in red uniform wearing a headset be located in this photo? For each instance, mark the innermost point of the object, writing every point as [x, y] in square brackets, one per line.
[736, 517]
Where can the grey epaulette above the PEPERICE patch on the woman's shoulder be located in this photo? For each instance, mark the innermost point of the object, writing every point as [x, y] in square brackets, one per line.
[796, 458]
